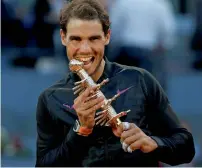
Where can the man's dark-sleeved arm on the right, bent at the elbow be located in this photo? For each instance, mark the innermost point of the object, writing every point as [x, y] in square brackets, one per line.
[175, 143]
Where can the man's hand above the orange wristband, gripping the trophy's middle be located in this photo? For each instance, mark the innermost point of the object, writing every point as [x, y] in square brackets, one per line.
[86, 106]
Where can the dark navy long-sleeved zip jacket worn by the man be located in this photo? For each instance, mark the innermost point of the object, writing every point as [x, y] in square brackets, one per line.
[59, 145]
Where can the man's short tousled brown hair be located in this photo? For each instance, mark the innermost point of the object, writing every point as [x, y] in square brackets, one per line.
[84, 10]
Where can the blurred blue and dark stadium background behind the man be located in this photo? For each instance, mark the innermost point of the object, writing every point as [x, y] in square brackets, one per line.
[162, 36]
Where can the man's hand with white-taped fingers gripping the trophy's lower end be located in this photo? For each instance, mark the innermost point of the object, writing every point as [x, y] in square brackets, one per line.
[133, 138]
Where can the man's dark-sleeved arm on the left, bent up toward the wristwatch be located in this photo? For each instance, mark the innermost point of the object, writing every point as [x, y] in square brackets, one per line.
[53, 147]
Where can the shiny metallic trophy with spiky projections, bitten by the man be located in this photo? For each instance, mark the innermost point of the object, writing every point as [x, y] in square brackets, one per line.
[108, 115]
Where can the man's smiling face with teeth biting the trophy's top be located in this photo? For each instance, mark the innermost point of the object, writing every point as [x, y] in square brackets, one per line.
[85, 41]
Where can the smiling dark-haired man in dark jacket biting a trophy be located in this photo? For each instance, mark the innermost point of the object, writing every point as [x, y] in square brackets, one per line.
[67, 133]
